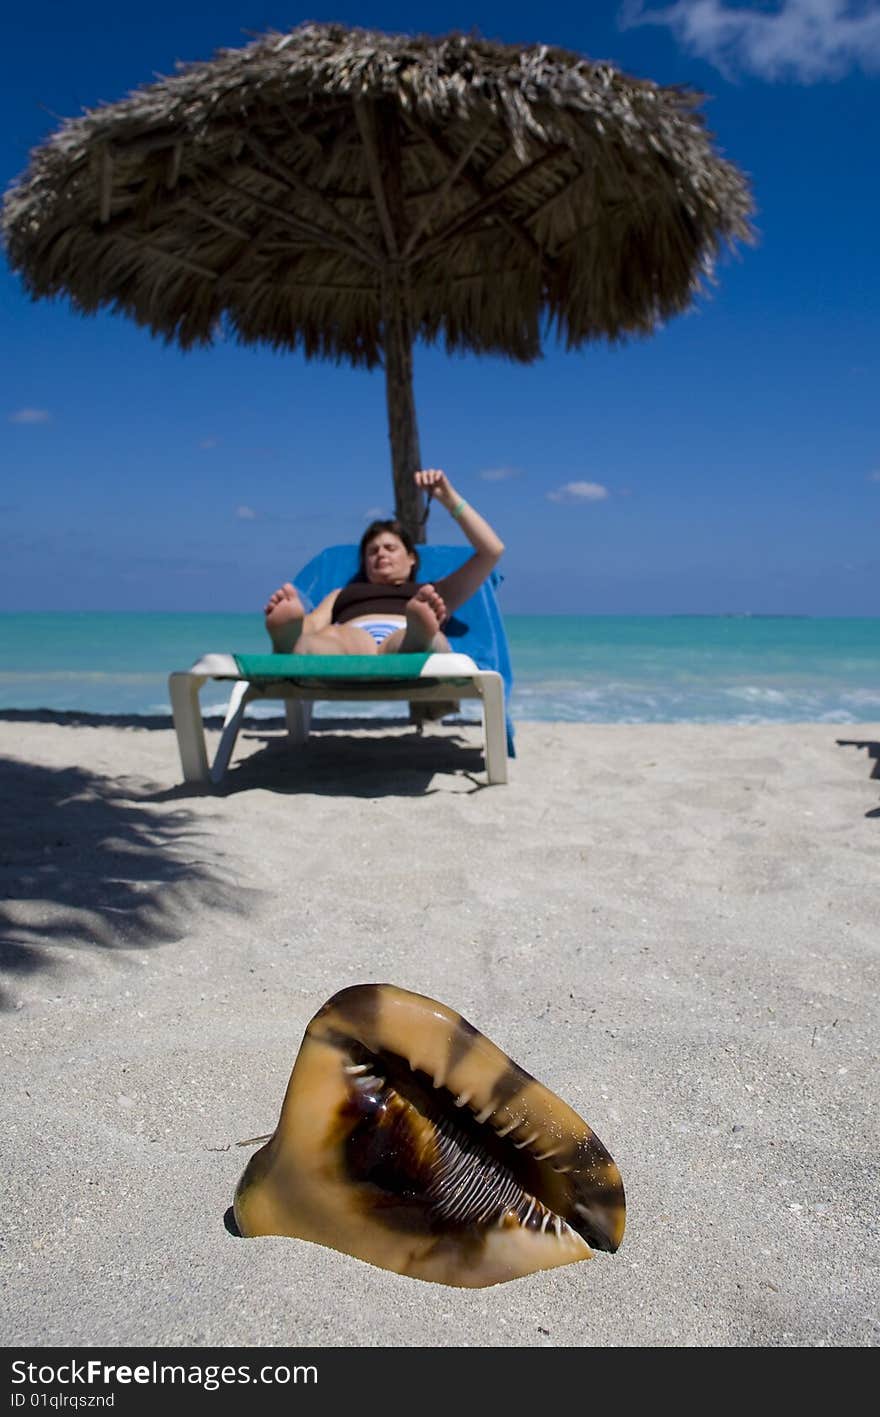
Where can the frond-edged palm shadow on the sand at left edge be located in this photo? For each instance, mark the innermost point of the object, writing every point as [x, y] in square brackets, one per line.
[84, 866]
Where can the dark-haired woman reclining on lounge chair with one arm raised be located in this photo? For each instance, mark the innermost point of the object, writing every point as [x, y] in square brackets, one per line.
[386, 610]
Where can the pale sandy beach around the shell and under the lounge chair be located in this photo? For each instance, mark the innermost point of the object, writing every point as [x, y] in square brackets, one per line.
[672, 927]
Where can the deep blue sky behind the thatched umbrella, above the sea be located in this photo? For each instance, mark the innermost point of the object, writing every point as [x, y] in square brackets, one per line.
[729, 464]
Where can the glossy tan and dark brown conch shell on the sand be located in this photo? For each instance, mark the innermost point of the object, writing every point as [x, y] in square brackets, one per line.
[409, 1140]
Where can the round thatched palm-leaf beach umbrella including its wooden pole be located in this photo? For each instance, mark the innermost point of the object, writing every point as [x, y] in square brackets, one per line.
[346, 193]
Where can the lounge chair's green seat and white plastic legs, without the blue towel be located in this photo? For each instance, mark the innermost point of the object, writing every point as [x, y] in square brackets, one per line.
[301, 679]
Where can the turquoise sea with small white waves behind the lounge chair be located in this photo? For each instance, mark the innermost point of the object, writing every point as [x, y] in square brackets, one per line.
[573, 668]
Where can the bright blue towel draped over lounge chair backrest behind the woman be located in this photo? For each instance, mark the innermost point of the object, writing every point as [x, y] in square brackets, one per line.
[475, 628]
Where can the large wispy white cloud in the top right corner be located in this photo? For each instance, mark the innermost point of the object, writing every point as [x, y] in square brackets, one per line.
[801, 40]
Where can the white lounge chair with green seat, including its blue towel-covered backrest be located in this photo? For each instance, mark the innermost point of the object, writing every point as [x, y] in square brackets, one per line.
[477, 668]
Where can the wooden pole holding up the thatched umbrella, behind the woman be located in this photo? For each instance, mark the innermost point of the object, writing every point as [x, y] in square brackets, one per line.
[403, 426]
